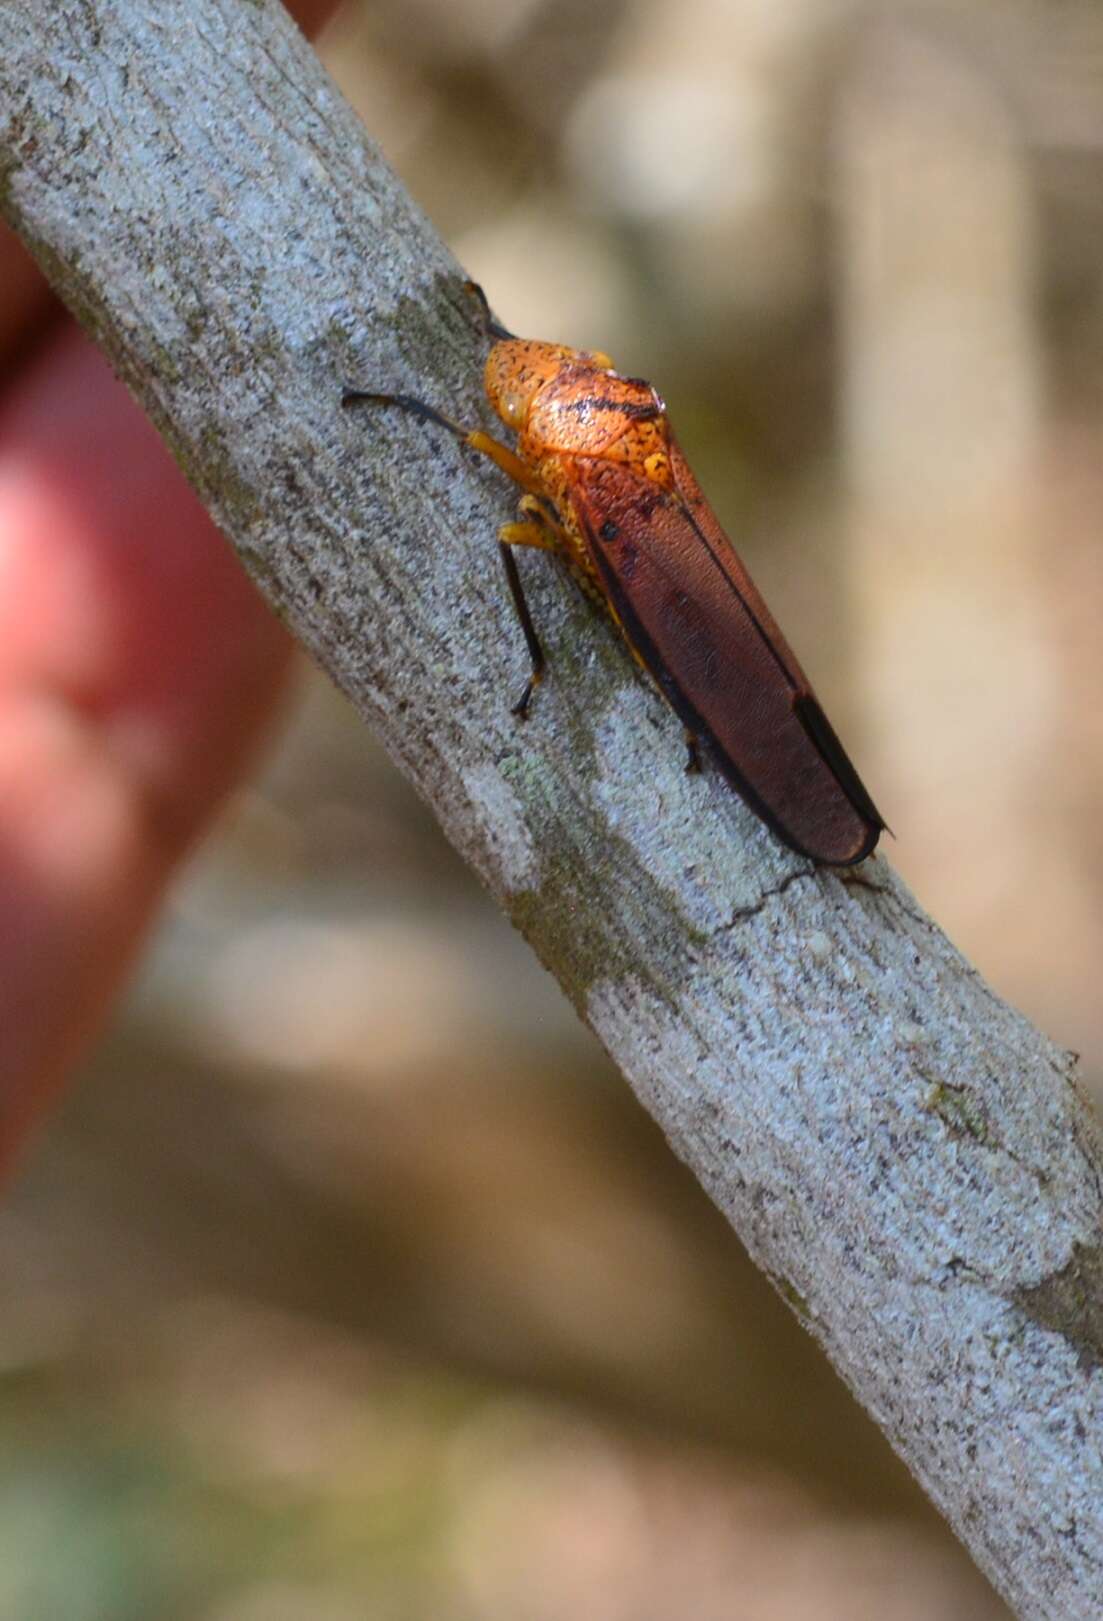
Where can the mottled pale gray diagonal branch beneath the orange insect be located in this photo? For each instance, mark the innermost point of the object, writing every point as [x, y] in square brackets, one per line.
[906, 1157]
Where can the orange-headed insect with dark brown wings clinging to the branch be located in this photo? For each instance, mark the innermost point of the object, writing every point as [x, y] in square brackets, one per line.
[607, 489]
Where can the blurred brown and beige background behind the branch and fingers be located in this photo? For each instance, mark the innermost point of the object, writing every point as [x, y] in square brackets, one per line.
[353, 1281]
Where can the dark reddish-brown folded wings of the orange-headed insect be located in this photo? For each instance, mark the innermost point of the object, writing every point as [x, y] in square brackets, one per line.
[703, 631]
